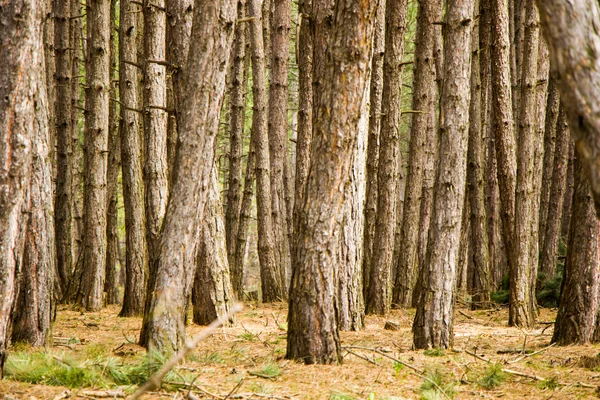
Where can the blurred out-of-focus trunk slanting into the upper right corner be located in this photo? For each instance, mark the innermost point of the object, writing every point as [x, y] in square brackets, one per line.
[569, 28]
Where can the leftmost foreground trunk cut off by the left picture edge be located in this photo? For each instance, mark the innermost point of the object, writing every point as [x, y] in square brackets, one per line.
[21, 63]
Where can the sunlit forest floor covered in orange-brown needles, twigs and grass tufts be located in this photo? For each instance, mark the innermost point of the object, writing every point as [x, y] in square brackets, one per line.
[246, 361]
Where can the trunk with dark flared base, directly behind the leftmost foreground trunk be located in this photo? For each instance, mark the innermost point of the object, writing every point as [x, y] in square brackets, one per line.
[32, 312]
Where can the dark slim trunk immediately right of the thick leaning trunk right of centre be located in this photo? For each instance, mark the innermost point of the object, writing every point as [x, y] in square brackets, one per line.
[480, 277]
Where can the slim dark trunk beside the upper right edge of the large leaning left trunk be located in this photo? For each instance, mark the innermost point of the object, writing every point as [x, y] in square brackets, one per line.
[237, 106]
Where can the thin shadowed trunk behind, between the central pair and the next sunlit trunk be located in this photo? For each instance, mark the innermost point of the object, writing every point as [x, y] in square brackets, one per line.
[375, 98]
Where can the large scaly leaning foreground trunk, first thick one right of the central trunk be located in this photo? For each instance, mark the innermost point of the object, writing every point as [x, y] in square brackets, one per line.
[433, 321]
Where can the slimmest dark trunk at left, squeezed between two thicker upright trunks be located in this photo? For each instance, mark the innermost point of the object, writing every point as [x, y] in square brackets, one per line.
[111, 284]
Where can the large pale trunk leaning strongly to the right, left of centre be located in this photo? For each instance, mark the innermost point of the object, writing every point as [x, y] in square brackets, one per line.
[210, 46]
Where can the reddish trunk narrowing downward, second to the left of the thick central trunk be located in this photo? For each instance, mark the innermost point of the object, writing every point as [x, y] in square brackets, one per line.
[278, 133]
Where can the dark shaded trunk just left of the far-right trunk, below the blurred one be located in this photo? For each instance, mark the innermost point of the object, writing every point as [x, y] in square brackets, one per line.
[556, 197]
